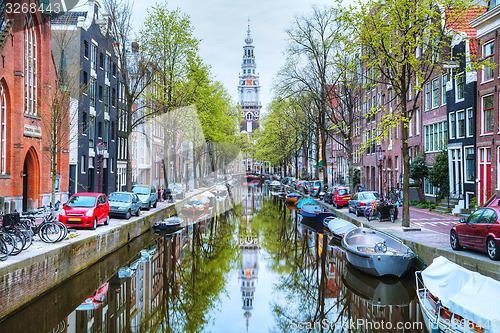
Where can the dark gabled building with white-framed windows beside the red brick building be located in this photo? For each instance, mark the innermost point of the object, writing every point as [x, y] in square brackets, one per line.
[93, 150]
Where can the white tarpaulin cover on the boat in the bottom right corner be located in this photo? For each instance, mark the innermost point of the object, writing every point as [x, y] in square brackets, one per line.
[468, 294]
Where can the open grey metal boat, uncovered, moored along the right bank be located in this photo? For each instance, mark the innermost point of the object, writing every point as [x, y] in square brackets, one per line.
[376, 253]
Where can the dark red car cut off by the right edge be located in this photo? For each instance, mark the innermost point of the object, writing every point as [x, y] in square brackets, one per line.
[481, 231]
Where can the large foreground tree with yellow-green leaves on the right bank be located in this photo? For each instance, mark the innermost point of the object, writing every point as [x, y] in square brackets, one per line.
[404, 44]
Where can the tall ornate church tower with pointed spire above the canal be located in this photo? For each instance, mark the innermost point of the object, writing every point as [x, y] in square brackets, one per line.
[249, 88]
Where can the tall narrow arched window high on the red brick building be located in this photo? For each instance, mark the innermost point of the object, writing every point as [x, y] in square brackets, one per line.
[30, 67]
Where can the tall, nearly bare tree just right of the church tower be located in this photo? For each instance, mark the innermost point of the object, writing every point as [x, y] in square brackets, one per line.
[313, 41]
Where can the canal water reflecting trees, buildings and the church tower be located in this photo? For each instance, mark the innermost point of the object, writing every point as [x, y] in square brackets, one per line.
[255, 268]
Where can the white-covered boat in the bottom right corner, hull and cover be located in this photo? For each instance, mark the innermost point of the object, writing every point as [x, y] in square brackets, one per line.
[456, 300]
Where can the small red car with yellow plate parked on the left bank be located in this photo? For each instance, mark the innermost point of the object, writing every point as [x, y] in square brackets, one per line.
[85, 210]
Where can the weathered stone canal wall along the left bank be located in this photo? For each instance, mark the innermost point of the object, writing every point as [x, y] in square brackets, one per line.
[36, 271]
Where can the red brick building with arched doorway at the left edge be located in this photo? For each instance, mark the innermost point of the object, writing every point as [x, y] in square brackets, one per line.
[27, 78]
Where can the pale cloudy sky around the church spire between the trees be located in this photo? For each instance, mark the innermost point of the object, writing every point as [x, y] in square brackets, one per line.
[222, 27]
